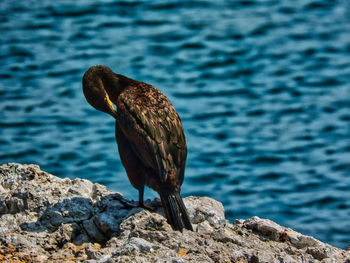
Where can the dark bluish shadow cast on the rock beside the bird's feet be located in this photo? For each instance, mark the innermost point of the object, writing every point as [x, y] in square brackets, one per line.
[79, 220]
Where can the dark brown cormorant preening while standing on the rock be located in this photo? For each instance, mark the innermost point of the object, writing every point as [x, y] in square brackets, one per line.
[149, 134]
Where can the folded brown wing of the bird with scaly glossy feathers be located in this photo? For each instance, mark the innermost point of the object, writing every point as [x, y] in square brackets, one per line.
[154, 129]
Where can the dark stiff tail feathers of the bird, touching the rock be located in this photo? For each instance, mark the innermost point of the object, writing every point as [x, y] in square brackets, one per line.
[175, 210]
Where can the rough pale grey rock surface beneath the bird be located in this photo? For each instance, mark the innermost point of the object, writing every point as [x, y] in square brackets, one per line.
[47, 219]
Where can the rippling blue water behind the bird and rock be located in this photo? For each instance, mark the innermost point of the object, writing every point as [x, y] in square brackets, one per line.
[262, 87]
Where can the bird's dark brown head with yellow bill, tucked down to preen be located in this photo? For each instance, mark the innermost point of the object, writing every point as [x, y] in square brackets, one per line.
[101, 88]
